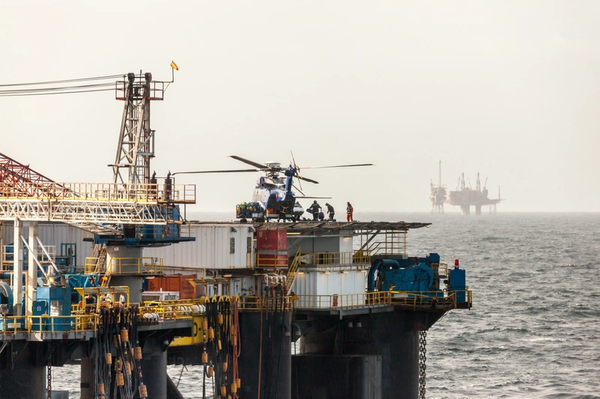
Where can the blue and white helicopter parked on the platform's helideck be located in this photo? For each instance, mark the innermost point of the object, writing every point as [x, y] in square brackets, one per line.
[273, 197]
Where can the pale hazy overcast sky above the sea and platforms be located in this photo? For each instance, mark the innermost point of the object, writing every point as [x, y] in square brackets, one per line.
[510, 89]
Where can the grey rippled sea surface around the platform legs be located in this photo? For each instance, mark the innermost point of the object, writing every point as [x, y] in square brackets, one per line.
[534, 329]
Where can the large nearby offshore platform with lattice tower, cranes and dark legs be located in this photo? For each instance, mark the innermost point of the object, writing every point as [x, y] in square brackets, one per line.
[320, 309]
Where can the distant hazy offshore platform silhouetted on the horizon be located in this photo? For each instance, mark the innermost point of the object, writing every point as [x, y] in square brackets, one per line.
[464, 196]
